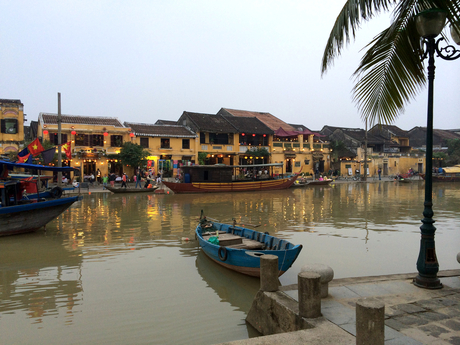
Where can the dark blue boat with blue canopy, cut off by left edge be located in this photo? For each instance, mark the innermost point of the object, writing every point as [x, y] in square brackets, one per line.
[20, 215]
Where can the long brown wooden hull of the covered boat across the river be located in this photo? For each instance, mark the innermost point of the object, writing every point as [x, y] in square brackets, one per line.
[218, 187]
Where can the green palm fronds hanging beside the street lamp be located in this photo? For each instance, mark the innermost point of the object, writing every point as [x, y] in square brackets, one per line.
[391, 72]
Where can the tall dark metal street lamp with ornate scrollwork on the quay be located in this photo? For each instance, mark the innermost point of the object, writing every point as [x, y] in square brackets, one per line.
[429, 25]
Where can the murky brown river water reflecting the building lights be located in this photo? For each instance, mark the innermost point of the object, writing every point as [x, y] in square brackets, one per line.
[116, 269]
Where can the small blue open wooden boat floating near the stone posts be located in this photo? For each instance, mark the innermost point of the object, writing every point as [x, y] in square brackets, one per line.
[240, 249]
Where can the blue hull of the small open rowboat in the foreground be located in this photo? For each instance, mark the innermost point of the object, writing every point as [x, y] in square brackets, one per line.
[247, 261]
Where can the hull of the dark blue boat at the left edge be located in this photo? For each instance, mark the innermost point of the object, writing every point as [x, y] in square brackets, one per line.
[32, 216]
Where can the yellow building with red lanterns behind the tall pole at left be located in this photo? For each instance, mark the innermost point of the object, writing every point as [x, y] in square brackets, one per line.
[93, 139]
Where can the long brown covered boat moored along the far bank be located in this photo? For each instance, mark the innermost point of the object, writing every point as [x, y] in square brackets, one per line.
[230, 178]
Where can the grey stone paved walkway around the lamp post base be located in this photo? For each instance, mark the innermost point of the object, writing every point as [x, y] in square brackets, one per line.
[412, 315]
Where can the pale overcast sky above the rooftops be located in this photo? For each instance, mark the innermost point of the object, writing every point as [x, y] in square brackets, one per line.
[141, 61]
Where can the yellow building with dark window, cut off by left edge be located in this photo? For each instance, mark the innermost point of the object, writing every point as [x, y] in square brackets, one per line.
[12, 125]
